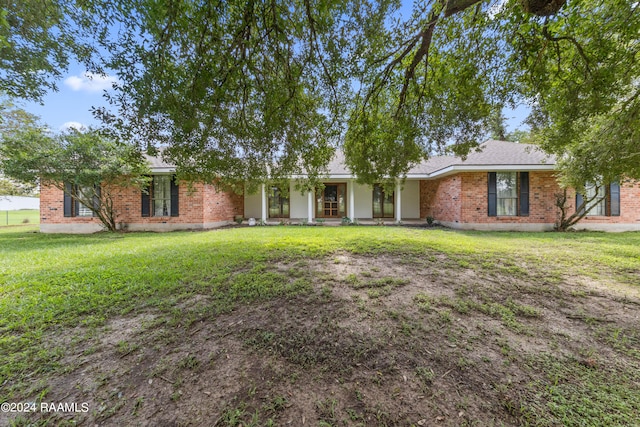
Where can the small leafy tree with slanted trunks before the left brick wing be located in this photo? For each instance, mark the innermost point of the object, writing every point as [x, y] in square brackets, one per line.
[93, 165]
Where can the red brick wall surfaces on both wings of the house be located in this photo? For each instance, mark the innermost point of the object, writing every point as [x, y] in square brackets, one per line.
[457, 200]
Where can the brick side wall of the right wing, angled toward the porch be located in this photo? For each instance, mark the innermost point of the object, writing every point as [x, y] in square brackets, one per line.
[441, 198]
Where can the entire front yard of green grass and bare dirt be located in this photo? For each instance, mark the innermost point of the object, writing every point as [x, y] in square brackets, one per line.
[320, 326]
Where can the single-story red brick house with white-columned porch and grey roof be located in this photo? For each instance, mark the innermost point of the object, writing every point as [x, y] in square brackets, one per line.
[504, 186]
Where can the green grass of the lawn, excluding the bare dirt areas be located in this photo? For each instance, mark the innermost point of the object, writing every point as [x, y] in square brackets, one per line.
[51, 285]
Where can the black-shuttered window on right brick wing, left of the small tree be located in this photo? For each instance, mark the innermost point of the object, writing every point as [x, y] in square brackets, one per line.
[508, 194]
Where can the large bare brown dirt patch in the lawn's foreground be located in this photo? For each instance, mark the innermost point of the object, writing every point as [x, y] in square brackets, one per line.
[378, 341]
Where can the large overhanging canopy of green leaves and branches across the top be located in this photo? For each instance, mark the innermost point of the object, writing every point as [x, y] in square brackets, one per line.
[248, 90]
